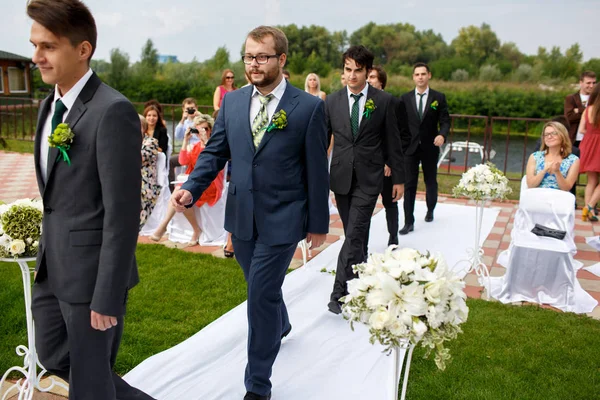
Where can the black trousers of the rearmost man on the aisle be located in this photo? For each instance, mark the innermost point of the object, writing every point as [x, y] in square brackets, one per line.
[428, 159]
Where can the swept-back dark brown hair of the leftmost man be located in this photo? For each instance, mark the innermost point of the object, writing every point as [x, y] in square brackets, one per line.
[65, 18]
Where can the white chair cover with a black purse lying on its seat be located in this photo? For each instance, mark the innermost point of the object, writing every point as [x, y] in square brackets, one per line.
[541, 269]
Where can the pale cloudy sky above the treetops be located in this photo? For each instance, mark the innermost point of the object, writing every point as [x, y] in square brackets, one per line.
[191, 28]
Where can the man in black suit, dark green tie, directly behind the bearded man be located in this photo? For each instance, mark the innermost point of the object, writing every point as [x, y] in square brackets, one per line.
[364, 125]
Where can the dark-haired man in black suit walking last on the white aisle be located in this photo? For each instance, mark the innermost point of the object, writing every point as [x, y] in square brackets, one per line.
[429, 123]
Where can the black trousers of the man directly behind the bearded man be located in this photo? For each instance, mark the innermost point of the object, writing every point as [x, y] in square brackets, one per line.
[356, 209]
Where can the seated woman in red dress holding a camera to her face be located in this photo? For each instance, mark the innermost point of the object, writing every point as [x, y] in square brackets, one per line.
[189, 154]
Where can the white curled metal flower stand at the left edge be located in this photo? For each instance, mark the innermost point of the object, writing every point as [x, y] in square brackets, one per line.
[26, 386]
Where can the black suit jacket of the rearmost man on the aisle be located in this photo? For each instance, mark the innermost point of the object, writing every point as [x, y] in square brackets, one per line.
[435, 121]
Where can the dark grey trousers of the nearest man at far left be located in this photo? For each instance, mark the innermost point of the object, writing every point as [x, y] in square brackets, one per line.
[68, 347]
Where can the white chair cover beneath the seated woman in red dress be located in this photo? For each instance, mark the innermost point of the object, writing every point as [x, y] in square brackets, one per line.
[210, 219]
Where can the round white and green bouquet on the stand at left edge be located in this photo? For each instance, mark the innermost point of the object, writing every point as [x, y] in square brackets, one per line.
[20, 228]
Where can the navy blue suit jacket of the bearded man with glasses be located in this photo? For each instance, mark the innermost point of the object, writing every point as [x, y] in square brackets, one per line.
[282, 188]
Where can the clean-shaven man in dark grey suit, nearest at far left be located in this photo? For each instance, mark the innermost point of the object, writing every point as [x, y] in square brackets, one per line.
[91, 193]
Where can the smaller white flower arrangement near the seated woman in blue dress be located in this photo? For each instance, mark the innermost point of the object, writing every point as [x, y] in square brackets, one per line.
[483, 182]
